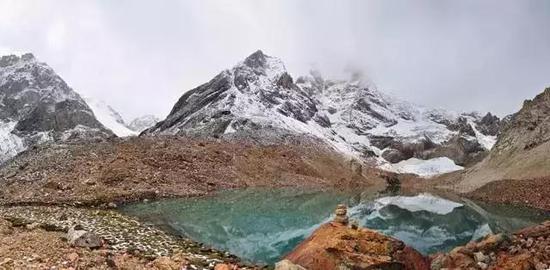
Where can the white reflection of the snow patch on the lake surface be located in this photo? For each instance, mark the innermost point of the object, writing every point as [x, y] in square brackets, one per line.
[421, 202]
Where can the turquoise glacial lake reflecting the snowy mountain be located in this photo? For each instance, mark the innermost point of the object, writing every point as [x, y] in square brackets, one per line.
[262, 225]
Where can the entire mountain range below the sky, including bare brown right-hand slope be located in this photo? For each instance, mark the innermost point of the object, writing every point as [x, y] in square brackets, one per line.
[257, 100]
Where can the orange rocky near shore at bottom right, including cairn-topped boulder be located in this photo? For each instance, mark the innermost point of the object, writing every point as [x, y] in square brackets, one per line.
[340, 244]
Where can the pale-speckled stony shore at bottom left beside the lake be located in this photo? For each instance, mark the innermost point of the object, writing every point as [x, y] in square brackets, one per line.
[124, 239]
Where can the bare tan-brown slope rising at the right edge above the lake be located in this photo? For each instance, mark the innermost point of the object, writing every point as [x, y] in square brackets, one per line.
[521, 152]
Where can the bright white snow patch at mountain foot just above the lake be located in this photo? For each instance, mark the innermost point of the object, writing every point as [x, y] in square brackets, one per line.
[425, 168]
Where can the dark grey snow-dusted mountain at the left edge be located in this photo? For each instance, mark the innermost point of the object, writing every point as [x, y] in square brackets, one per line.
[36, 106]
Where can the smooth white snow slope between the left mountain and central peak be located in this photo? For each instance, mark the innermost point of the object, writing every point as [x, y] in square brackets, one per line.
[110, 118]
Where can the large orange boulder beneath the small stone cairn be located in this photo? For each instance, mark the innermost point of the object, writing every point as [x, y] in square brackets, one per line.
[334, 245]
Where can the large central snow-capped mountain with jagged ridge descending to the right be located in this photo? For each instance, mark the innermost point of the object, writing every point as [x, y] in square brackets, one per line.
[352, 116]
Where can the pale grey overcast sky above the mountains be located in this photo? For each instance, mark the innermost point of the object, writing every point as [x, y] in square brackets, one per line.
[140, 56]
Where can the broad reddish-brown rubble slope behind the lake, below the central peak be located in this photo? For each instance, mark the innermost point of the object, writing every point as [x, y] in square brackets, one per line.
[135, 168]
